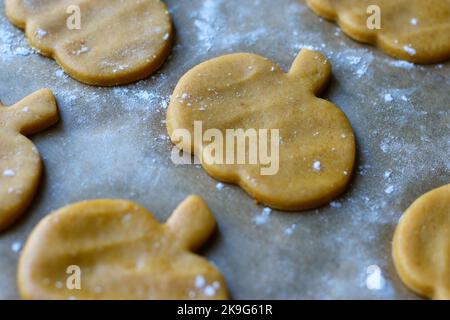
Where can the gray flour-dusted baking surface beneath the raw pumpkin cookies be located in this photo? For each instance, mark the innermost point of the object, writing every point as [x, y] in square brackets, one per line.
[112, 143]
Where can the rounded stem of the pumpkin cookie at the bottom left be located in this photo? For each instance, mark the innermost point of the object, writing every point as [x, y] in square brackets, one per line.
[192, 222]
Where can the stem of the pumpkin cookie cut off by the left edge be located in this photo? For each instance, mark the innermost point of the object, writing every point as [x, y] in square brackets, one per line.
[34, 113]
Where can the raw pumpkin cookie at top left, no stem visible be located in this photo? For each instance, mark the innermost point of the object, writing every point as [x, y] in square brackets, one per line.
[119, 41]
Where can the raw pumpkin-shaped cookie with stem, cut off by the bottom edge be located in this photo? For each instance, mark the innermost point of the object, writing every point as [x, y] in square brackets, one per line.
[122, 252]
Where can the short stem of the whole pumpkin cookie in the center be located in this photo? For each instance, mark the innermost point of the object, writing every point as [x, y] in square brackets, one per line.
[312, 68]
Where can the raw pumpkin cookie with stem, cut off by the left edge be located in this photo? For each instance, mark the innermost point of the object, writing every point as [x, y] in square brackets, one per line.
[20, 163]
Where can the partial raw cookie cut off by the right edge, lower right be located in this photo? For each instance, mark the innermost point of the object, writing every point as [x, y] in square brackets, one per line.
[421, 247]
